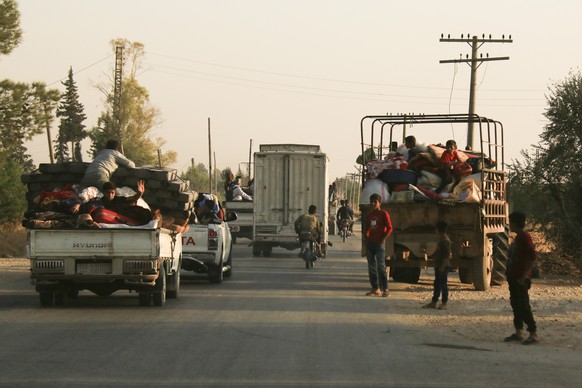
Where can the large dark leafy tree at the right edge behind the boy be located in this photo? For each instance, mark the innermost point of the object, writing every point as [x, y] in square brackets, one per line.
[548, 183]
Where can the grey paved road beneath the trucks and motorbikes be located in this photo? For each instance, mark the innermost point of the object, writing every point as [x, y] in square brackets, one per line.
[274, 323]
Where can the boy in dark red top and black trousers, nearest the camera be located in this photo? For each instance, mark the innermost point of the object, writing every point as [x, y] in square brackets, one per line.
[522, 255]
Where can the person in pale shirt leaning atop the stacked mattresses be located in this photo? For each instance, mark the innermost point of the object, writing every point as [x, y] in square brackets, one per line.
[104, 165]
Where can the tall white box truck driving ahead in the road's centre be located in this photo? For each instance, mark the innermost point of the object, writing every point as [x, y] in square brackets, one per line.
[288, 179]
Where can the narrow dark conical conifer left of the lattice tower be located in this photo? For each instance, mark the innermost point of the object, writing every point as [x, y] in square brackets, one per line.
[71, 129]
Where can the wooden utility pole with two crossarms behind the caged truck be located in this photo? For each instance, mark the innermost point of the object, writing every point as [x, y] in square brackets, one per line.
[475, 61]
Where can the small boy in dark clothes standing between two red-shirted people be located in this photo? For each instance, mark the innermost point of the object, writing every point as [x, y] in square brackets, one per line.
[442, 261]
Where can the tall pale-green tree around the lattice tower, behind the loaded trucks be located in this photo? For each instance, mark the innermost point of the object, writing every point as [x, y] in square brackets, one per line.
[137, 116]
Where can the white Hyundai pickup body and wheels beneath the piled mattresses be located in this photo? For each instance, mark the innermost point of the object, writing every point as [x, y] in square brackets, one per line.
[63, 262]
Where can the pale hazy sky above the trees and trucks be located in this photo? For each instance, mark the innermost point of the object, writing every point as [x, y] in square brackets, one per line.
[302, 71]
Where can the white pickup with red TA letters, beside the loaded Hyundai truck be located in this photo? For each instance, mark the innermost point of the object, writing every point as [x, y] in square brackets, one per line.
[207, 249]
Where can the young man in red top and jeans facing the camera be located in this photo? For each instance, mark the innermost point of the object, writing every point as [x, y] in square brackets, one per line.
[378, 228]
